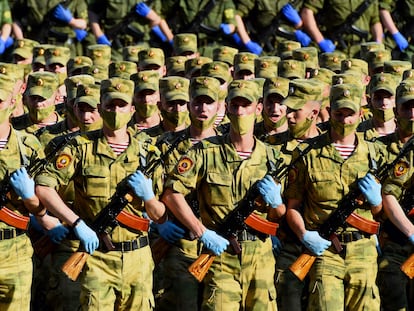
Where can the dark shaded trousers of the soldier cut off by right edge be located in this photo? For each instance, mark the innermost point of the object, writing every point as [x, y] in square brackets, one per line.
[392, 282]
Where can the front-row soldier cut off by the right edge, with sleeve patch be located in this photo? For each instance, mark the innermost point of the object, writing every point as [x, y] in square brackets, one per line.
[396, 248]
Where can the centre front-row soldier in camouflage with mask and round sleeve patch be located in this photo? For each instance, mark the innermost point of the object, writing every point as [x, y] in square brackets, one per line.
[223, 168]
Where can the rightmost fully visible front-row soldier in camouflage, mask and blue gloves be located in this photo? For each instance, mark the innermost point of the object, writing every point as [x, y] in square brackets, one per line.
[344, 280]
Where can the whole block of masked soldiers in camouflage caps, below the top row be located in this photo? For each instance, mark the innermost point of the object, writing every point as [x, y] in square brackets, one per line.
[190, 143]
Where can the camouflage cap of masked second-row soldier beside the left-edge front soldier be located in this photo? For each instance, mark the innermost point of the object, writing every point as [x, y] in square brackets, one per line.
[41, 83]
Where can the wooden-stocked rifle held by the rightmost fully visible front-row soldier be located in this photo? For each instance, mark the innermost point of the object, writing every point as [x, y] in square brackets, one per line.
[339, 217]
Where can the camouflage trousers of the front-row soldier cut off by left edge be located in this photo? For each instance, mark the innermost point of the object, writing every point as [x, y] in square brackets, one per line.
[16, 272]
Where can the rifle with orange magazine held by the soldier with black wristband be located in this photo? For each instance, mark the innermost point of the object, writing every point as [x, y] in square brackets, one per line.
[110, 216]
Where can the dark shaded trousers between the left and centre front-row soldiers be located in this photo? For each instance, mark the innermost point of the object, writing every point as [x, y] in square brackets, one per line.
[181, 289]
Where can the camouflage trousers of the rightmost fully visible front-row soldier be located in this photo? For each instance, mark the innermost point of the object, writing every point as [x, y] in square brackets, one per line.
[345, 281]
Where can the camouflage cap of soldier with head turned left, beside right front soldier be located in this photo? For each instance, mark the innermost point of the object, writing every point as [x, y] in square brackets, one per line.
[301, 91]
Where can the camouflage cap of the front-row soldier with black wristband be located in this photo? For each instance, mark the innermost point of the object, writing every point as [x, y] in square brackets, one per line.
[117, 88]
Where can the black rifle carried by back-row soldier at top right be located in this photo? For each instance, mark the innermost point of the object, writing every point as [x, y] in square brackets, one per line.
[348, 28]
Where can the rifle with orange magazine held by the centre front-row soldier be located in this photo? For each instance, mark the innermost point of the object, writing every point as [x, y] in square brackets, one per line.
[243, 217]
